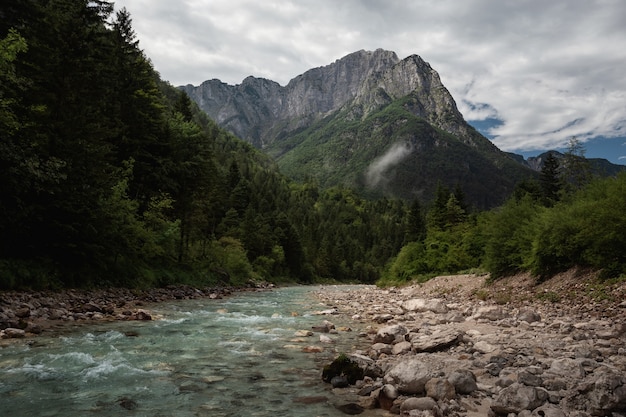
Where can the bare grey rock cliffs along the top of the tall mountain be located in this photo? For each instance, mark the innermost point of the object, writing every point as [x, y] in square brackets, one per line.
[364, 80]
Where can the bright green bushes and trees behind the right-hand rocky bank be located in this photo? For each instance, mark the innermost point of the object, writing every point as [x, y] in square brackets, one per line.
[567, 217]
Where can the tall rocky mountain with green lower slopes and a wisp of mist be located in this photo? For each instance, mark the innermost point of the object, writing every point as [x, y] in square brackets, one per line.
[370, 121]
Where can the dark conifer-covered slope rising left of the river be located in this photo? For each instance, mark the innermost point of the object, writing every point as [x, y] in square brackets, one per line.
[109, 176]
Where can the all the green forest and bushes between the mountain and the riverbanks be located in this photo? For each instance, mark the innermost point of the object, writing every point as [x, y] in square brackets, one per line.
[110, 176]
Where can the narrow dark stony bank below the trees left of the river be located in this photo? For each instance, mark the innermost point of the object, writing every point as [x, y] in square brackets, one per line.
[24, 314]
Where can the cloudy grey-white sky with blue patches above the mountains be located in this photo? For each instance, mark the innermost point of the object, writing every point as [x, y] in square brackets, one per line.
[535, 72]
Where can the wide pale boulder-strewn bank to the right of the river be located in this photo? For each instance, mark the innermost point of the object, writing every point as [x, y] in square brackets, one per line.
[456, 347]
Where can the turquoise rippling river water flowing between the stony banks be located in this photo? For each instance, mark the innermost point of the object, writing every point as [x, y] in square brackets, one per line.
[231, 357]
